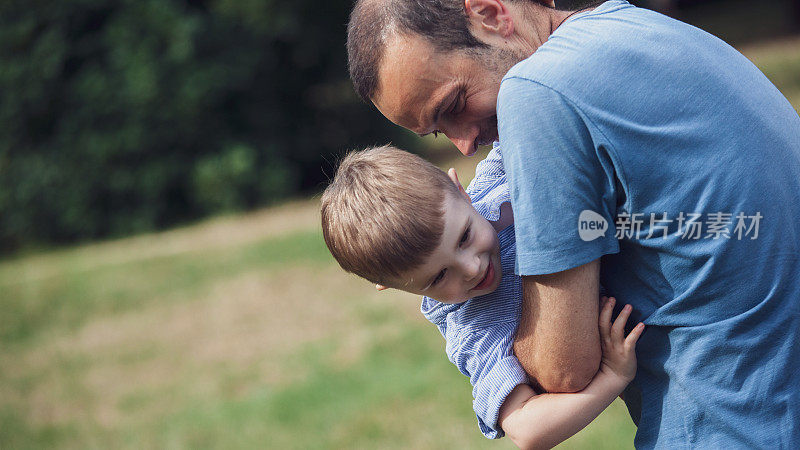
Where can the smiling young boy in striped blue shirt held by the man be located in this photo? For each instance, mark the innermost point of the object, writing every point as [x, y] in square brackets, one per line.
[398, 221]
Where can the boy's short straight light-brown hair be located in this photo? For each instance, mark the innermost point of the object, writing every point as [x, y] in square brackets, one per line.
[382, 214]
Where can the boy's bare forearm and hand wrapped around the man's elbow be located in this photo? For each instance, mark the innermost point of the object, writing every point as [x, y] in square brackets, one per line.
[543, 421]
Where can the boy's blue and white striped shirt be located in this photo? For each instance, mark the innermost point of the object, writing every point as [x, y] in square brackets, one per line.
[480, 331]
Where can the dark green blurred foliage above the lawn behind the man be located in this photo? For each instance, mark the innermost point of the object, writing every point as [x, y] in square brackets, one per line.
[123, 116]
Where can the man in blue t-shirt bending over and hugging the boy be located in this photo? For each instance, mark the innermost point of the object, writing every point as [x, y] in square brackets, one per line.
[641, 153]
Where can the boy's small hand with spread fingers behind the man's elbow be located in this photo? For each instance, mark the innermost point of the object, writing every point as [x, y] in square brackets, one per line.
[619, 352]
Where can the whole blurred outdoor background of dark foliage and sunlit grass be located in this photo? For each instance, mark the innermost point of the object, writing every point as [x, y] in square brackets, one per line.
[120, 117]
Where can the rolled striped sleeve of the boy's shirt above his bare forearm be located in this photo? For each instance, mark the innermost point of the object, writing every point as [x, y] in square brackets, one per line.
[487, 358]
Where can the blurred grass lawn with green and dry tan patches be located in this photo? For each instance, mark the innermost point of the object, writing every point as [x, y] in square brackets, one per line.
[240, 332]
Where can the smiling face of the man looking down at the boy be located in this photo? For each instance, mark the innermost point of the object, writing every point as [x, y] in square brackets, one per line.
[453, 93]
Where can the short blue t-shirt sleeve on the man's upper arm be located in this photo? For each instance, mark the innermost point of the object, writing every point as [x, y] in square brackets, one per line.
[561, 178]
